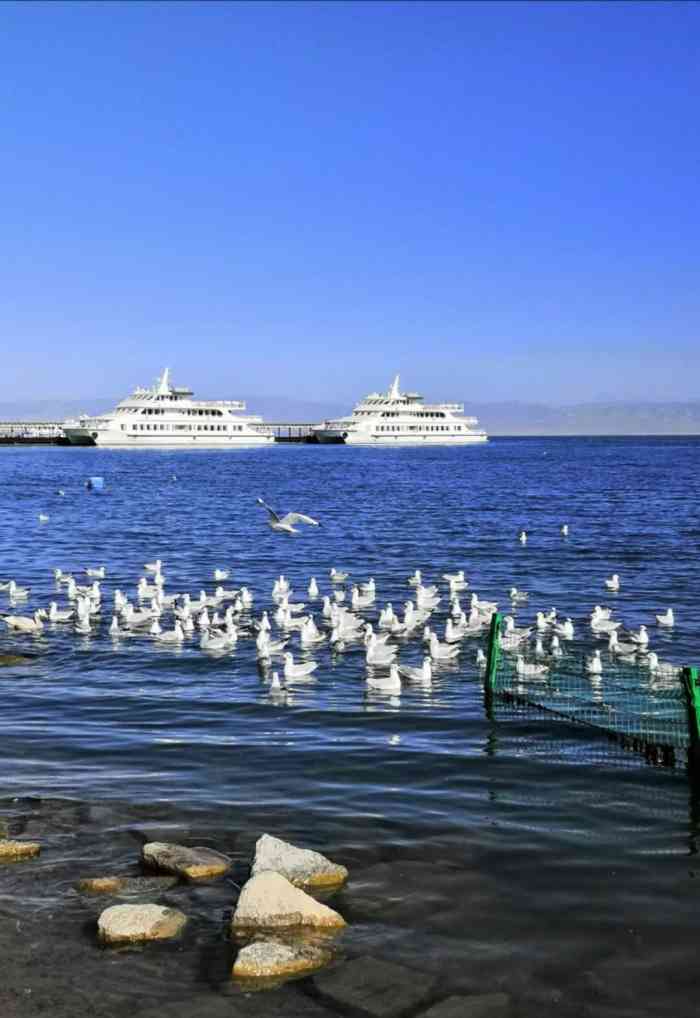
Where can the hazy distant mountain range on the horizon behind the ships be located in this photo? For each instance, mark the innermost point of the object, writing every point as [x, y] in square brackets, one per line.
[498, 419]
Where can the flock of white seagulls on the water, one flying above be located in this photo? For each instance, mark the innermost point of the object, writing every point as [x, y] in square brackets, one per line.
[338, 620]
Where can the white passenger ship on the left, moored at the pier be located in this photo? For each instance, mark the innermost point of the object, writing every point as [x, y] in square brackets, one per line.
[168, 416]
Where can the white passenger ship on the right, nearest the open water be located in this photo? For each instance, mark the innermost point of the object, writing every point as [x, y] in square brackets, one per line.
[397, 418]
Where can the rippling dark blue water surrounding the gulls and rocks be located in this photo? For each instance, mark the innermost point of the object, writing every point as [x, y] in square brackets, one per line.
[501, 853]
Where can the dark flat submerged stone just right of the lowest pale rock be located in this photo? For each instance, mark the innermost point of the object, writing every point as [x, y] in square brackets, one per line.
[375, 988]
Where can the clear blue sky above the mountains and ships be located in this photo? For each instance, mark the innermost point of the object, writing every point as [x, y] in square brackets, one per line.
[500, 201]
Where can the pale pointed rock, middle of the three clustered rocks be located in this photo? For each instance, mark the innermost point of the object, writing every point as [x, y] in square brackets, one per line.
[269, 901]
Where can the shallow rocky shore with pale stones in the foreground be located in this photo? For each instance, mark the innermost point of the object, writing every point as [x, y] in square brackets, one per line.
[154, 914]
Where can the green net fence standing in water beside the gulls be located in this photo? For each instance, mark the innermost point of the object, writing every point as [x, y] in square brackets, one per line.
[646, 711]
